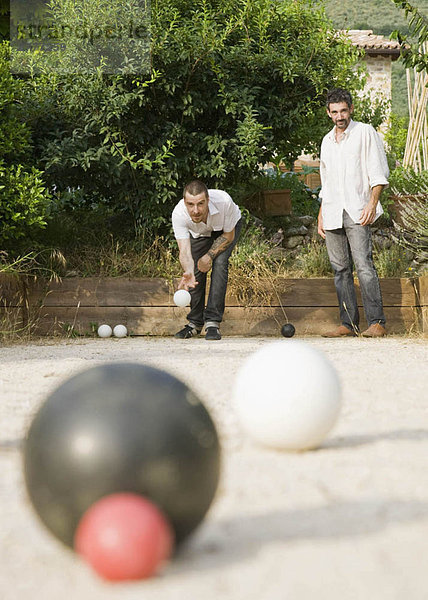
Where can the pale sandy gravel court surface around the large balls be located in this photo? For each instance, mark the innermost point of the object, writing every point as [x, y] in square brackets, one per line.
[348, 521]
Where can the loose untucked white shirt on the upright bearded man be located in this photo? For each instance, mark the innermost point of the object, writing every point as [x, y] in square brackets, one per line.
[349, 169]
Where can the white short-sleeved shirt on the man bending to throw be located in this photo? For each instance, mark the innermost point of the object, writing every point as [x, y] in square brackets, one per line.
[223, 214]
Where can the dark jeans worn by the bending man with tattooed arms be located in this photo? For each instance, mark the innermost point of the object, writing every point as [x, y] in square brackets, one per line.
[213, 313]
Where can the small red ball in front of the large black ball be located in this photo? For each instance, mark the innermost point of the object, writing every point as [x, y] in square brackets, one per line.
[124, 537]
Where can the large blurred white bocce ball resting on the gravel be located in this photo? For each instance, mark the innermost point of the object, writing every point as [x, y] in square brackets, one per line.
[287, 395]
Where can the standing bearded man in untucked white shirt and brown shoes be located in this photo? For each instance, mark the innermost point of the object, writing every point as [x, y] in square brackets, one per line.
[353, 172]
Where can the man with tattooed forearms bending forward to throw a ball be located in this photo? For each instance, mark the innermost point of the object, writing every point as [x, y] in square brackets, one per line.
[206, 224]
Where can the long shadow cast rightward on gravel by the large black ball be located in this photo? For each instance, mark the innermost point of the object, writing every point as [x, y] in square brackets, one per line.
[232, 540]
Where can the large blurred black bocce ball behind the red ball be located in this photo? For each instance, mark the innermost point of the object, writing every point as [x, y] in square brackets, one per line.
[121, 427]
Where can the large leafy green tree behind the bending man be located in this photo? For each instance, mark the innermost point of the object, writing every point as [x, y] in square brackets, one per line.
[232, 84]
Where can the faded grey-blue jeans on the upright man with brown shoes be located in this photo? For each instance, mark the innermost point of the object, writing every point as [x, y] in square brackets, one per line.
[350, 244]
